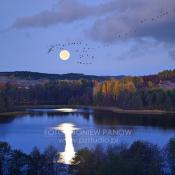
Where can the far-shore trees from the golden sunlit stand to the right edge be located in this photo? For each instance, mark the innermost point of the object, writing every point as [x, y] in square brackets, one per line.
[133, 93]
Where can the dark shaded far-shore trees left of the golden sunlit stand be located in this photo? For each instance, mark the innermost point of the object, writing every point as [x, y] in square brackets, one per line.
[52, 93]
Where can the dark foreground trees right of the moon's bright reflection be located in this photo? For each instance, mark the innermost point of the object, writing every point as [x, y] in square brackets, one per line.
[141, 158]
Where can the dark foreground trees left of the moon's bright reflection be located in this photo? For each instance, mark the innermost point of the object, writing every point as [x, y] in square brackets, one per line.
[16, 162]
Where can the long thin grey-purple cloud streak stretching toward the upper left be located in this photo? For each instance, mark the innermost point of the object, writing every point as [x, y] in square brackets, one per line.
[68, 11]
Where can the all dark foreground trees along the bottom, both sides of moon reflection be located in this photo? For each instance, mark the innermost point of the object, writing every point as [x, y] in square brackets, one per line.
[140, 158]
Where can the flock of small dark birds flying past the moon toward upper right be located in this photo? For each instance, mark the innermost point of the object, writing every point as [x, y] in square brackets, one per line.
[85, 53]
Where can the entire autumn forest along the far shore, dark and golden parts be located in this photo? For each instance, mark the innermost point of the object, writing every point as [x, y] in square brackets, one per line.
[143, 92]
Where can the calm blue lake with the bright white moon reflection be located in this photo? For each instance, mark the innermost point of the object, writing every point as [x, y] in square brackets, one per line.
[72, 129]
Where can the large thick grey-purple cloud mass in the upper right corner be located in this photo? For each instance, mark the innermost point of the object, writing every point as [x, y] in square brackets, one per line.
[154, 18]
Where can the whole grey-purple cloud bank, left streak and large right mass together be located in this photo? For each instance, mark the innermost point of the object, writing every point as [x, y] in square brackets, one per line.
[114, 19]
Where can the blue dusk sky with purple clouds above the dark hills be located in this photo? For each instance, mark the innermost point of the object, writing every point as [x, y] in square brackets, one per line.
[139, 35]
